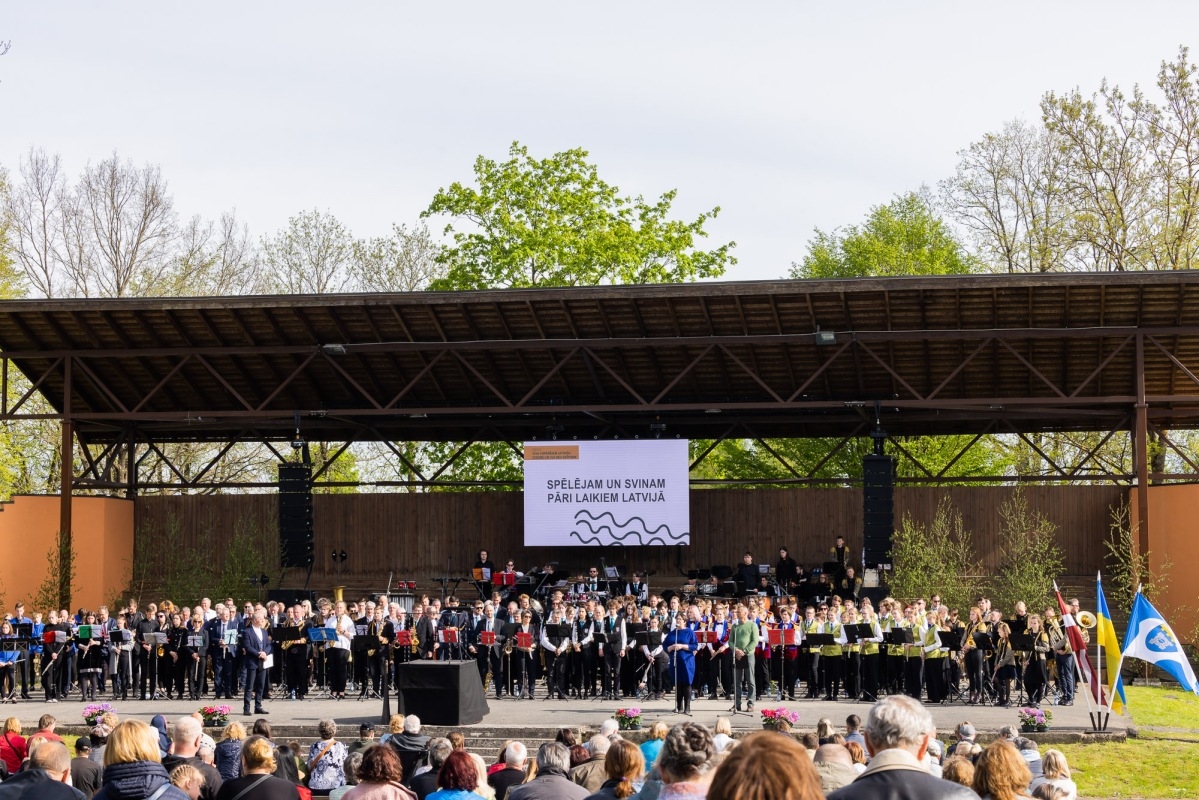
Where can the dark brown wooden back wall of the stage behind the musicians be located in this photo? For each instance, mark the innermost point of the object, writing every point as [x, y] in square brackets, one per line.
[419, 537]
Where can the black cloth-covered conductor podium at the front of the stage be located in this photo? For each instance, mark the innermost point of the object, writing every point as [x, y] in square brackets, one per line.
[442, 693]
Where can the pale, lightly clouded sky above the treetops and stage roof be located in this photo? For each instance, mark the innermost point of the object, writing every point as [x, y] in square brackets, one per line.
[788, 116]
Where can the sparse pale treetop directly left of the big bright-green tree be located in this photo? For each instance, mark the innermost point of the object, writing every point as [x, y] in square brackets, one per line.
[405, 262]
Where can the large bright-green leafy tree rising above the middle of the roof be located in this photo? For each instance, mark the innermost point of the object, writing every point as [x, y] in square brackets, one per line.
[553, 222]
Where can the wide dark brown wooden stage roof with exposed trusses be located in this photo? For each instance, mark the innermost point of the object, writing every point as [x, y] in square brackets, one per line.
[962, 354]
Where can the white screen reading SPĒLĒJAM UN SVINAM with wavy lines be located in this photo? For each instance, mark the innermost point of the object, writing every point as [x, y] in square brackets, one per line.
[588, 494]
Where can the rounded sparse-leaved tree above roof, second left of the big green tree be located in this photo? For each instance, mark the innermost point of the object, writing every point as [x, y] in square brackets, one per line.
[311, 256]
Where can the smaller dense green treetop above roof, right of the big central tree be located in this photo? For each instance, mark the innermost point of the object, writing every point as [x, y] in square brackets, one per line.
[905, 237]
